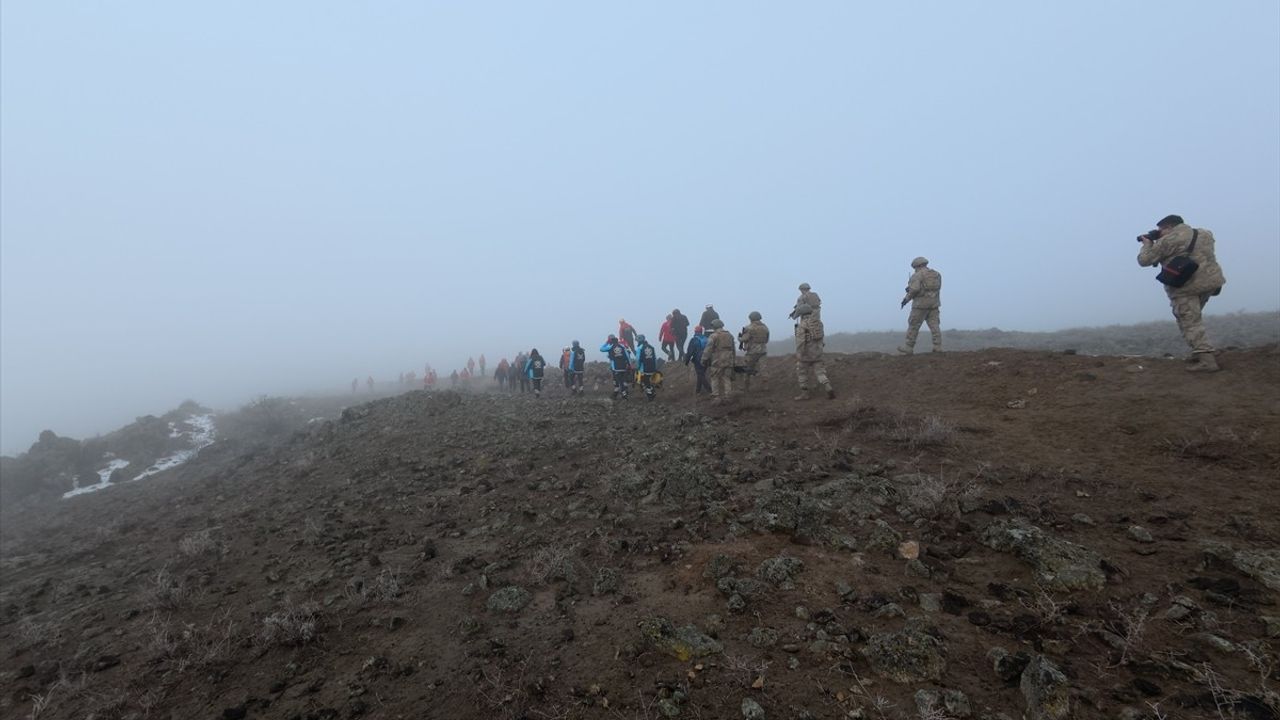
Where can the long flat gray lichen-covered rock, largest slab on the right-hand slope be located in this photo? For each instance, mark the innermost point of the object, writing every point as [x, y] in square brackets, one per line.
[1059, 564]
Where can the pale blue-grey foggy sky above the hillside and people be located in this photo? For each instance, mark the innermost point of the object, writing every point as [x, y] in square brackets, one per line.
[225, 200]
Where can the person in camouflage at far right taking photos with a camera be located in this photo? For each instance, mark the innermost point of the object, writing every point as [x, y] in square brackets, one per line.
[1191, 275]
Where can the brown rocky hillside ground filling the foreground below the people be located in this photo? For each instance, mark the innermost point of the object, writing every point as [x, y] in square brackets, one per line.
[973, 535]
